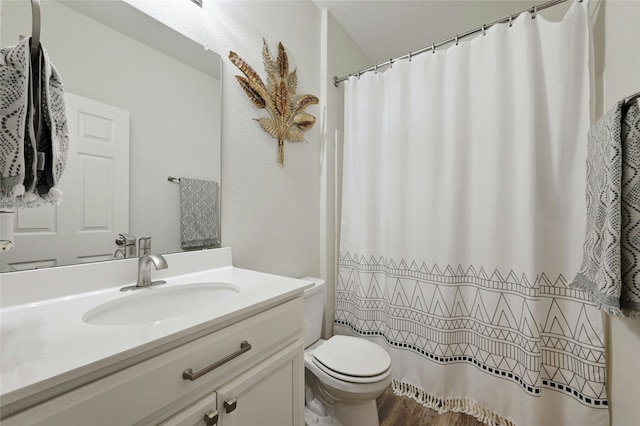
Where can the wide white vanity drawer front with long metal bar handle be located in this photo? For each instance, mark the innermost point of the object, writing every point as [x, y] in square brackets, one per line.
[156, 387]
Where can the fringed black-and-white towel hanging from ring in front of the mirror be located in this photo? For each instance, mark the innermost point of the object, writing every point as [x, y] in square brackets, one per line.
[34, 138]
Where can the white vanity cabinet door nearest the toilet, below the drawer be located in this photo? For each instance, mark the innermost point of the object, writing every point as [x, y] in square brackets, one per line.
[270, 394]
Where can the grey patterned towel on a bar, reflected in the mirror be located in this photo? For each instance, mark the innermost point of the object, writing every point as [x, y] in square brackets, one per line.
[198, 213]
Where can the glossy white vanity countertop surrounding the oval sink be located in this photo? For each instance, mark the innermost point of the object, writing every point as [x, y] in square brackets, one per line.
[45, 343]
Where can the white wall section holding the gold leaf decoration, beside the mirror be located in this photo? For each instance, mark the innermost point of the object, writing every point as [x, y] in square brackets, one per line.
[270, 214]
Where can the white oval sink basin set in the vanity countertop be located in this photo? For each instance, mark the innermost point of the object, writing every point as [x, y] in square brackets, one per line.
[161, 303]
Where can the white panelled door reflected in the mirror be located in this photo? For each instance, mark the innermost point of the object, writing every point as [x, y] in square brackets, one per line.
[95, 184]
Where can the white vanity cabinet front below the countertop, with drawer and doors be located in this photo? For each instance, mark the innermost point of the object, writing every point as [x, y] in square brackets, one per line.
[260, 385]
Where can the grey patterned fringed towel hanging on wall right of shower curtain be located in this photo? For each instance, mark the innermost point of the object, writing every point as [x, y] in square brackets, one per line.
[610, 270]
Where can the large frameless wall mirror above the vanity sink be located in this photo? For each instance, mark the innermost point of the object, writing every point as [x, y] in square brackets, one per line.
[160, 90]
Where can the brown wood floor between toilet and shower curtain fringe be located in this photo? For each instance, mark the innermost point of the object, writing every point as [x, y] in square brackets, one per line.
[403, 411]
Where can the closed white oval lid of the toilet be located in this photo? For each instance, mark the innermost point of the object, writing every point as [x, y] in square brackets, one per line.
[353, 356]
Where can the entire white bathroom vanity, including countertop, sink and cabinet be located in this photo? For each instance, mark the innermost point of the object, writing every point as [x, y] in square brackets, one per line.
[76, 358]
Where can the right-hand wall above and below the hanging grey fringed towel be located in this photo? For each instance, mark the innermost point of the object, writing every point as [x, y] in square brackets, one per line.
[618, 59]
